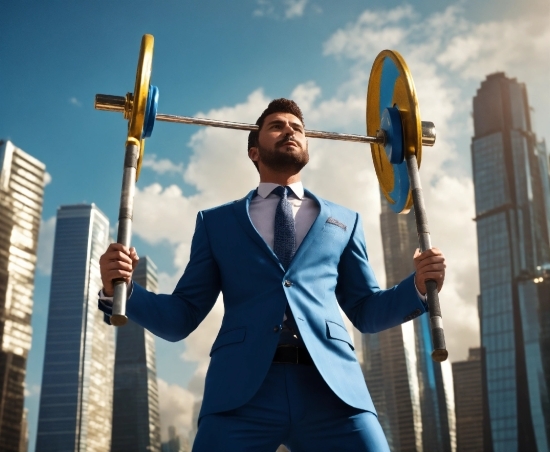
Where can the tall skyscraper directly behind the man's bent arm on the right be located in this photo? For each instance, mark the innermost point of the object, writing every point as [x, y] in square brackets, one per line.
[413, 399]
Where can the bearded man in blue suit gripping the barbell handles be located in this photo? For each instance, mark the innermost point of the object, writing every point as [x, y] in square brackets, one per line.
[283, 369]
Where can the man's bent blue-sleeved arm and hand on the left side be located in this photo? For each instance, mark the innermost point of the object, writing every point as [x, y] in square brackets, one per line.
[173, 317]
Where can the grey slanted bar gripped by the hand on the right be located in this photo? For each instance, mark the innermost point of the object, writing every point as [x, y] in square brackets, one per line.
[439, 353]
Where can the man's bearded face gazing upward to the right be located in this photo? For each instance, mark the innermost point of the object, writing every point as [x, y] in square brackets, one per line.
[282, 144]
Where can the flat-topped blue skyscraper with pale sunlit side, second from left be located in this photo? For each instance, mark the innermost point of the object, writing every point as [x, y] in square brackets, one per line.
[77, 381]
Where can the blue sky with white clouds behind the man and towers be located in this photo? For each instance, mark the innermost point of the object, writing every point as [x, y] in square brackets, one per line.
[227, 60]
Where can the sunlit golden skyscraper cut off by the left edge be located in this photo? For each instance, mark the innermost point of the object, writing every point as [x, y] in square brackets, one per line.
[21, 196]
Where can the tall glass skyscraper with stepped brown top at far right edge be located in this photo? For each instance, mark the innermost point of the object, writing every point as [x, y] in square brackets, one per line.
[511, 195]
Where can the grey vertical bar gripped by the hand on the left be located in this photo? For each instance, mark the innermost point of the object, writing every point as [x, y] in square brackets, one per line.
[118, 317]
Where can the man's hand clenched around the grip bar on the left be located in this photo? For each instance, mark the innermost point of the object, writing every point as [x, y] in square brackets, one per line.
[117, 262]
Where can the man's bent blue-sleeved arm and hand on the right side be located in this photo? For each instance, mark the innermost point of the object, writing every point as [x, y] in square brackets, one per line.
[368, 307]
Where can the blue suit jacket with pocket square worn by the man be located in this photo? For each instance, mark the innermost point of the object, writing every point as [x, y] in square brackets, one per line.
[330, 267]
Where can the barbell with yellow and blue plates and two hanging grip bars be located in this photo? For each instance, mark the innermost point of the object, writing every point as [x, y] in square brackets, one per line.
[394, 131]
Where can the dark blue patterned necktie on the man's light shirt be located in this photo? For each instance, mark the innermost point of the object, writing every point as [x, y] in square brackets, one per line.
[284, 241]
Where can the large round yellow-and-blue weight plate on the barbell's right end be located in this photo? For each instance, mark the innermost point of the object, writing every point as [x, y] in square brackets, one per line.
[391, 85]
